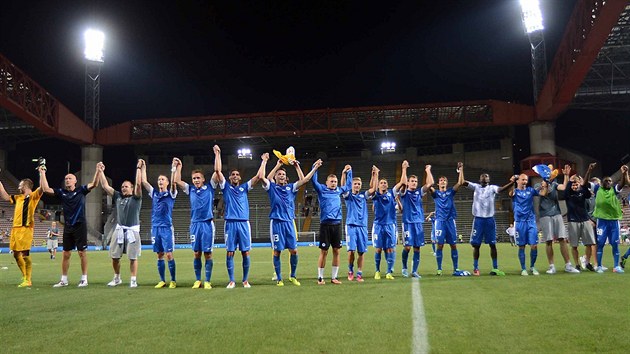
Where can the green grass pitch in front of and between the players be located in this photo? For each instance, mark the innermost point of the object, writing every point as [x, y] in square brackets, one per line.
[562, 313]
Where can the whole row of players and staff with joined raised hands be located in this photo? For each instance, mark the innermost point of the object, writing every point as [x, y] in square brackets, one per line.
[582, 194]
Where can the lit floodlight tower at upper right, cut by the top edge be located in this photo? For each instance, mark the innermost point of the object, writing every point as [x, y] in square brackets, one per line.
[533, 22]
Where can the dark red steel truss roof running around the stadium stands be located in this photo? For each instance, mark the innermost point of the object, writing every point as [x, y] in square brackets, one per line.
[590, 70]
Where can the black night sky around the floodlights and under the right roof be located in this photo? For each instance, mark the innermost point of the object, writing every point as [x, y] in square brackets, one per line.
[167, 59]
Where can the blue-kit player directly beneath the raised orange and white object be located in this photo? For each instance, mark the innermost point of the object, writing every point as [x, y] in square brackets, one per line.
[282, 227]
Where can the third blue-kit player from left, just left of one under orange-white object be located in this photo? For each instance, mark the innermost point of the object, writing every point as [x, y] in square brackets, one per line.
[237, 229]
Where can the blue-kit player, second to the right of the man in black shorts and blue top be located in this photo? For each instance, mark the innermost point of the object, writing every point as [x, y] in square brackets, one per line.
[384, 227]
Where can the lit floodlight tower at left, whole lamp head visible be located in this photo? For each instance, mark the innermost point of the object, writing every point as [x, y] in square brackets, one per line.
[94, 42]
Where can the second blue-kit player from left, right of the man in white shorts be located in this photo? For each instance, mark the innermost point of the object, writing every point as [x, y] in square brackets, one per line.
[202, 230]
